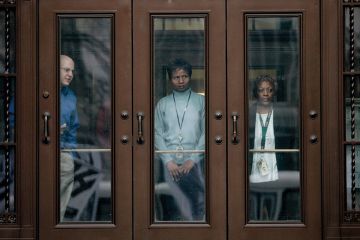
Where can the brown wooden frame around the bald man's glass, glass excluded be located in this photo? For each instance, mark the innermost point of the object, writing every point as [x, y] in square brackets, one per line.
[121, 225]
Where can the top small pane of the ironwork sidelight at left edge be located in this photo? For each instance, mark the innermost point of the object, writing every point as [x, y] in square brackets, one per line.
[10, 24]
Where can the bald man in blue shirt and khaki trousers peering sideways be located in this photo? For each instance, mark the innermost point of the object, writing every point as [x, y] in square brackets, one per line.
[69, 123]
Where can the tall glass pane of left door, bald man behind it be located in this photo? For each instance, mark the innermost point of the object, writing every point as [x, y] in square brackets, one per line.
[85, 74]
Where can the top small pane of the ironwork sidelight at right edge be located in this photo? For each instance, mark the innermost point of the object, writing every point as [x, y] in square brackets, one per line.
[352, 61]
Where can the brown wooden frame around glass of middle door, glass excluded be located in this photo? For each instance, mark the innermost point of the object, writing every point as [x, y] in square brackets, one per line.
[215, 227]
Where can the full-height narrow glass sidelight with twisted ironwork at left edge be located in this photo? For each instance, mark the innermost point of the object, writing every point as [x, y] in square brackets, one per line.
[7, 111]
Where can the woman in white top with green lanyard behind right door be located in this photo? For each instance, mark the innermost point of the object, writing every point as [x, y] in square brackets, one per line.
[270, 128]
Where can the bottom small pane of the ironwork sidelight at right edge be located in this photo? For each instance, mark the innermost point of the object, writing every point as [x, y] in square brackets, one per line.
[353, 184]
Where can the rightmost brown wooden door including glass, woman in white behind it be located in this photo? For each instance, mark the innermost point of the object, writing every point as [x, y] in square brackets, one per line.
[274, 185]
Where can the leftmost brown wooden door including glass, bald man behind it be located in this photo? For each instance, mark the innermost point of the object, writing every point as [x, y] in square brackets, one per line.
[85, 127]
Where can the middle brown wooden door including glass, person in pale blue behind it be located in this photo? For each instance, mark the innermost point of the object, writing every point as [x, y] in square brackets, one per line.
[166, 32]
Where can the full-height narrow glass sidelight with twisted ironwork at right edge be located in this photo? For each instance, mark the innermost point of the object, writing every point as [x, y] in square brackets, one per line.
[351, 109]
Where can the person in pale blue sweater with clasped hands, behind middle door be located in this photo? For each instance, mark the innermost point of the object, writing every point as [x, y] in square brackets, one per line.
[180, 127]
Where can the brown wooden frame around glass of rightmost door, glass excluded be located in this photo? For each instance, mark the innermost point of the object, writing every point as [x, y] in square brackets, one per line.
[311, 154]
